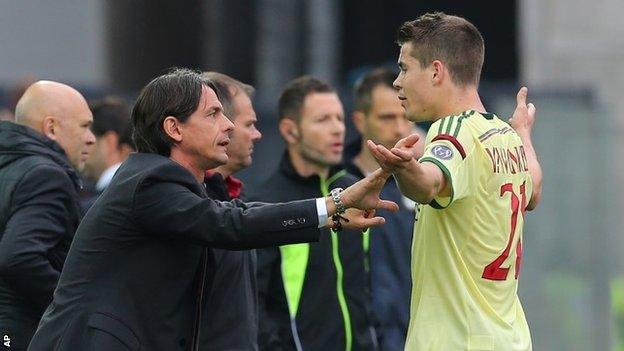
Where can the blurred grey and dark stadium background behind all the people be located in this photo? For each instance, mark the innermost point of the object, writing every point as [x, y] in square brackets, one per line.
[569, 52]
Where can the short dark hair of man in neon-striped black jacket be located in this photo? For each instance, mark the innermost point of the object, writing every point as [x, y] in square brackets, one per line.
[292, 98]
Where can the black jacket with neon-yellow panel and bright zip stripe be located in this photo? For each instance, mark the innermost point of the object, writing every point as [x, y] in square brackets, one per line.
[323, 285]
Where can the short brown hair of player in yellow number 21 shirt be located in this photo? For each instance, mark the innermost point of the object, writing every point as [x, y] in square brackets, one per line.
[450, 39]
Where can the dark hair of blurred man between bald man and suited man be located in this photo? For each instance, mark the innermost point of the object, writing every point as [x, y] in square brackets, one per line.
[112, 114]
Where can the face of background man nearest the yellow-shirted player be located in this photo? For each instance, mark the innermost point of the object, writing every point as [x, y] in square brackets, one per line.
[385, 123]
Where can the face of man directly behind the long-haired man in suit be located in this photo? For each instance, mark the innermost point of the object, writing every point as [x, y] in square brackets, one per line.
[245, 134]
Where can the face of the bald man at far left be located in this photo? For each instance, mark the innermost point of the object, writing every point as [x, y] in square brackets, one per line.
[73, 133]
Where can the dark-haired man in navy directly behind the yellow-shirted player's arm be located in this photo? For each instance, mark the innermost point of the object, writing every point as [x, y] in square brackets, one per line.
[379, 116]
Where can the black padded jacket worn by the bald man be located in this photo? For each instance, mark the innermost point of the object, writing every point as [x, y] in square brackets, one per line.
[39, 213]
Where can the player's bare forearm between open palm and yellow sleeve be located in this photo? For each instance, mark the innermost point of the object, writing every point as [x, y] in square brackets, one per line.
[420, 182]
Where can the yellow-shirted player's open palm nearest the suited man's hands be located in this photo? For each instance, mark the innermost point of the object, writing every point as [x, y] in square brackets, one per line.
[399, 157]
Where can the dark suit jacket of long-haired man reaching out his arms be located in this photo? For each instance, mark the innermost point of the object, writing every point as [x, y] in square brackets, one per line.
[135, 273]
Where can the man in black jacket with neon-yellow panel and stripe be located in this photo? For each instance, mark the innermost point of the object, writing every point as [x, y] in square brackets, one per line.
[312, 296]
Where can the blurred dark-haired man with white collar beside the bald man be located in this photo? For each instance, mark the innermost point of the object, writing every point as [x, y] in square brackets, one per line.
[113, 143]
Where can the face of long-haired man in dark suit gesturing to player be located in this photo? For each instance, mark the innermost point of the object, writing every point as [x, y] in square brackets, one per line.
[205, 134]
